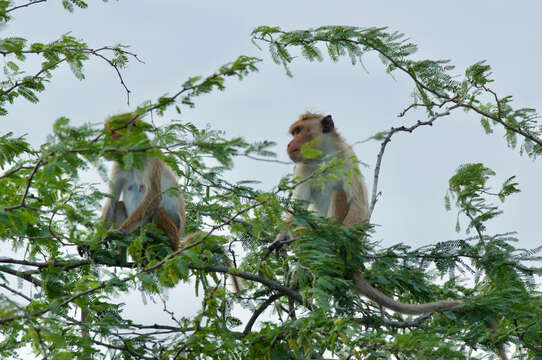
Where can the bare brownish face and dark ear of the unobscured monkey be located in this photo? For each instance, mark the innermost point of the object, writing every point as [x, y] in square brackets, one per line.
[305, 132]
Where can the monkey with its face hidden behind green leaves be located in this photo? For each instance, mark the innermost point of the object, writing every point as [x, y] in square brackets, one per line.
[142, 189]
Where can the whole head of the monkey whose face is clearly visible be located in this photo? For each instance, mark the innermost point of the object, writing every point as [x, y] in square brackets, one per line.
[312, 131]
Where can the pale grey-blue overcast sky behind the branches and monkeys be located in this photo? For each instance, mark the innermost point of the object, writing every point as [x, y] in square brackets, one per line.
[179, 39]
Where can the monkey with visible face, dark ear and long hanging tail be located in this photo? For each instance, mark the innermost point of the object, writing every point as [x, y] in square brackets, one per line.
[343, 199]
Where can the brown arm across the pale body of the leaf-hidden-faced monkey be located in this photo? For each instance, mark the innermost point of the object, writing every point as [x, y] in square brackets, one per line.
[151, 202]
